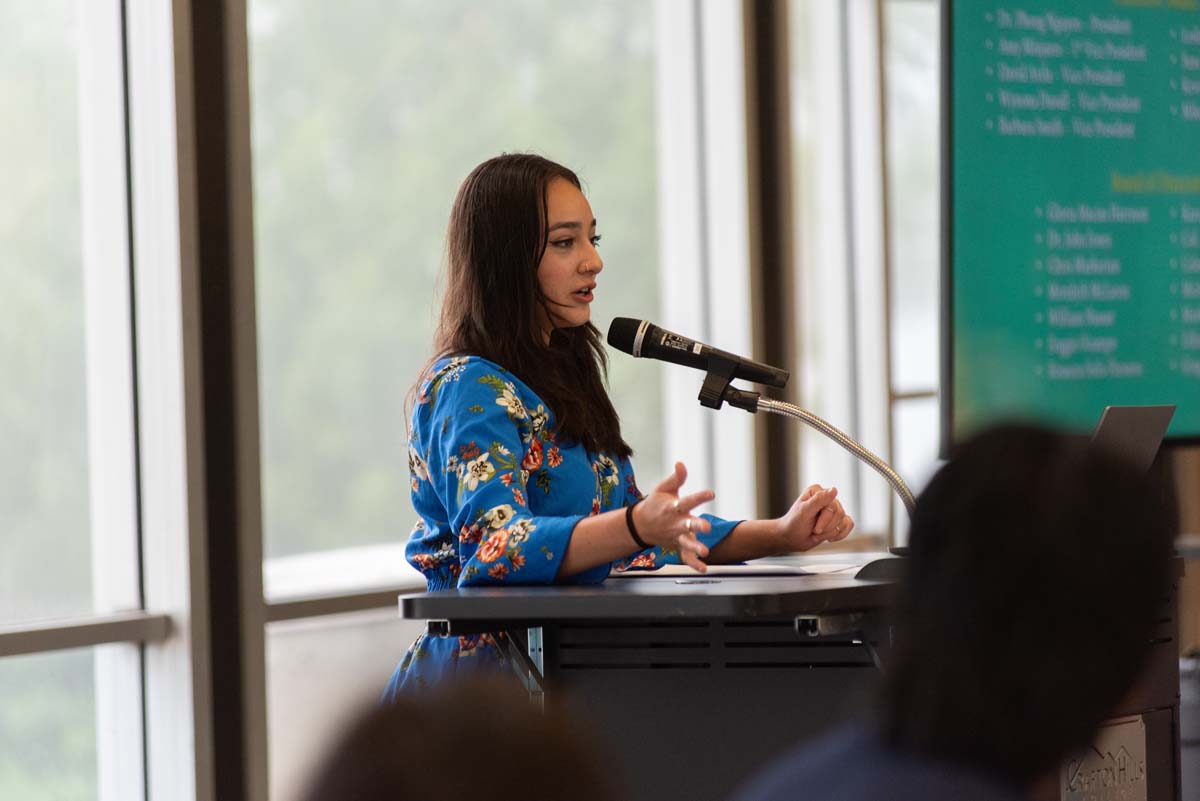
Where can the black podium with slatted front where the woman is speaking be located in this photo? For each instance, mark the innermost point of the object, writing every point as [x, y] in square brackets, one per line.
[697, 683]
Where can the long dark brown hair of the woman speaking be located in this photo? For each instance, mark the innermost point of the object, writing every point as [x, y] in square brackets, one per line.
[494, 305]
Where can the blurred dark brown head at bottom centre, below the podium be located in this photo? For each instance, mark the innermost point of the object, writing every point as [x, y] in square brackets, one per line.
[466, 742]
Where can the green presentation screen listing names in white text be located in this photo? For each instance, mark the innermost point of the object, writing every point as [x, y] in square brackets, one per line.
[1073, 210]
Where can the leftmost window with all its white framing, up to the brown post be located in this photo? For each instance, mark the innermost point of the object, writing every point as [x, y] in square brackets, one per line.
[85, 668]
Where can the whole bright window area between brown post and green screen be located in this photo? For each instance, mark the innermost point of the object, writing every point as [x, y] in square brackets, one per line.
[866, 131]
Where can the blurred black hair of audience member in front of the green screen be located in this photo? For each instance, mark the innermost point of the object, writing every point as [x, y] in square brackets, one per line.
[1039, 570]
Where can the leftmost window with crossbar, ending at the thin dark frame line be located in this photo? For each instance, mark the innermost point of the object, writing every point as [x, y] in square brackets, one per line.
[71, 625]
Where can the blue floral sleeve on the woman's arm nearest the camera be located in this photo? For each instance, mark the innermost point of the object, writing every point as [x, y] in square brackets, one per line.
[481, 435]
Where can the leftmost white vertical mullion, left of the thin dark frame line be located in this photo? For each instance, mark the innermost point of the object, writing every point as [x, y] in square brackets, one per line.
[116, 565]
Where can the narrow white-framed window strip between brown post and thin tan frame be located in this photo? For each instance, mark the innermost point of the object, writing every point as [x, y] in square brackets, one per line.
[842, 368]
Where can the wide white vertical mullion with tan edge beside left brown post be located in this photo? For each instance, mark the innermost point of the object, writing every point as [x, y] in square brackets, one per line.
[179, 752]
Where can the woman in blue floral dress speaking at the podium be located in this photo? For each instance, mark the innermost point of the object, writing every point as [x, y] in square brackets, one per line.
[520, 474]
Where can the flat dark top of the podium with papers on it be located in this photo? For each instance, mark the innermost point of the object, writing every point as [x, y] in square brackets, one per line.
[658, 598]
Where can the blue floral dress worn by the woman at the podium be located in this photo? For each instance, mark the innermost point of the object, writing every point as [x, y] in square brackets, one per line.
[497, 496]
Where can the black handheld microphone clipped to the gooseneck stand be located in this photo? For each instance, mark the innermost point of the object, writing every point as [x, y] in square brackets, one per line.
[643, 339]
